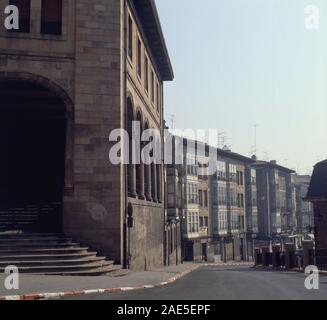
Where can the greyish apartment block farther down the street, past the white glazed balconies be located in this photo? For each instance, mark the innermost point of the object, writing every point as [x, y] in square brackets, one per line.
[276, 200]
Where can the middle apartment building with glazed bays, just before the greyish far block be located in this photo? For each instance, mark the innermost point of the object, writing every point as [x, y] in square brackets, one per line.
[230, 194]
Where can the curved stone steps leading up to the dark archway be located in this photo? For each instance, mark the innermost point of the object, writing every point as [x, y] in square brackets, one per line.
[52, 254]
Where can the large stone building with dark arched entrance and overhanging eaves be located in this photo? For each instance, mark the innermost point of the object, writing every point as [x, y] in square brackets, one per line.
[72, 73]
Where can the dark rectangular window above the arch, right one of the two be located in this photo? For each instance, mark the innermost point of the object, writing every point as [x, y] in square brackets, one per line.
[51, 19]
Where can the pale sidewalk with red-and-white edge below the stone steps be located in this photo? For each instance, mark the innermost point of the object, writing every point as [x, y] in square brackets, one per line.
[35, 287]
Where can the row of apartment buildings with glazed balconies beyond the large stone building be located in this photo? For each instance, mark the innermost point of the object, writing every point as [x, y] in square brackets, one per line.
[246, 202]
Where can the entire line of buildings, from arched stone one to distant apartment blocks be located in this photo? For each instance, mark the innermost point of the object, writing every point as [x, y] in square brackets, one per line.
[72, 73]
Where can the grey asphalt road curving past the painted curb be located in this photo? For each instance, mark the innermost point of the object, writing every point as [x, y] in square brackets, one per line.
[228, 283]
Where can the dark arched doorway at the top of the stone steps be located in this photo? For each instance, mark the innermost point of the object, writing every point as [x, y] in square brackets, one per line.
[32, 162]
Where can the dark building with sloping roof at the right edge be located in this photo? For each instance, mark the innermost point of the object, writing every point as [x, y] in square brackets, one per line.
[317, 195]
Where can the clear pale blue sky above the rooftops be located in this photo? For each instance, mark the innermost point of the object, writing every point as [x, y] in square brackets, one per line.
[243, 62]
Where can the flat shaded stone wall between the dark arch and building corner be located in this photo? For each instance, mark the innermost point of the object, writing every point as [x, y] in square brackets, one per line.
[93, 211]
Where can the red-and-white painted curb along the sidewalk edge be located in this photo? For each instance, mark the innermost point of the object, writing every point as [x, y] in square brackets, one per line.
[48, 296]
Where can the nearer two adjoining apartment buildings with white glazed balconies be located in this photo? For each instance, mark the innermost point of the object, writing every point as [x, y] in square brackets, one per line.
[218, 210]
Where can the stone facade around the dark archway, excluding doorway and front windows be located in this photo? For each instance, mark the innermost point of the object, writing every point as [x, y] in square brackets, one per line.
[87, 66]
